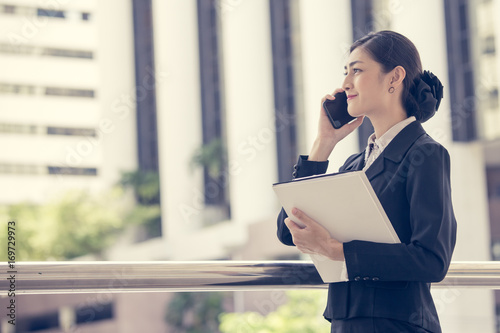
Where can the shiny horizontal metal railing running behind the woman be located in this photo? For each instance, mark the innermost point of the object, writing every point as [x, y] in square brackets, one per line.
[158, 276]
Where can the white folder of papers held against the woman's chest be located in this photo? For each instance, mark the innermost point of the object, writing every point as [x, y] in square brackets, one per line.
[345, 204]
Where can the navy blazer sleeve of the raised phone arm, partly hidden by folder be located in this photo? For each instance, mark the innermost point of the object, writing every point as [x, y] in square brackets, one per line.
[303, 168]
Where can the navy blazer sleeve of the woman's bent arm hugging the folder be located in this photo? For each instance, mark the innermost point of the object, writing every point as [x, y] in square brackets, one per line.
[433, 230]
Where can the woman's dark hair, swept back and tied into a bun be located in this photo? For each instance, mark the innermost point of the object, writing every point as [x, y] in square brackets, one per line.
[392, 49]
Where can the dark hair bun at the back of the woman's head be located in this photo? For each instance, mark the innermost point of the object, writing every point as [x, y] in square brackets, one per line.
[428, 92]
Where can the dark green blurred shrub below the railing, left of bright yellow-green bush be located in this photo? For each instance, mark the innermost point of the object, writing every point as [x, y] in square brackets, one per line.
[195, 312]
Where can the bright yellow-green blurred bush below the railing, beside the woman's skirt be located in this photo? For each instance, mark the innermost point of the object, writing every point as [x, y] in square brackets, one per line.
[302, 314]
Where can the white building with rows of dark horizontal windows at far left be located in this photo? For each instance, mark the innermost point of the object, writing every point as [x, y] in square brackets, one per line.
[67, 95]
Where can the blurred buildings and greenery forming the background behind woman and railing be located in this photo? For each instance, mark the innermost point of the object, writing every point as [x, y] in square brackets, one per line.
[154, 129]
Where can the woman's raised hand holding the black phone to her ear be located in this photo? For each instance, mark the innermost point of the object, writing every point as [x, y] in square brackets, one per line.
[328, 136]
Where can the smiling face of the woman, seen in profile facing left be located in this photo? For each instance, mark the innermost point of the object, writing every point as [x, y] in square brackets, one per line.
[365, 84]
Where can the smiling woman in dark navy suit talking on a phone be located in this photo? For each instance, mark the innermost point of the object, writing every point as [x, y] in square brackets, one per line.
[387, 287]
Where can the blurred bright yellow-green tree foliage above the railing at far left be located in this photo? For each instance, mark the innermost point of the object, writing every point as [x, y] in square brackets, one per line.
[74, 225]
